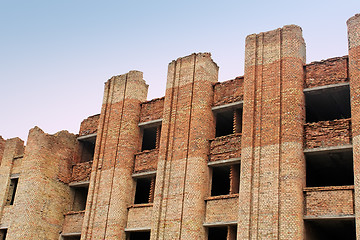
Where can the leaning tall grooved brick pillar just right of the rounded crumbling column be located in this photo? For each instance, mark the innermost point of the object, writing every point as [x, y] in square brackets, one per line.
[111, 184]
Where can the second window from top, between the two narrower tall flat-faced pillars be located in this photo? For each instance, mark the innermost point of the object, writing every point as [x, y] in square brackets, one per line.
[144, 192]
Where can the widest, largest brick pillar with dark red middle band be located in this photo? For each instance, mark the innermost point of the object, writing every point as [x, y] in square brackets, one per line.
[272, 160]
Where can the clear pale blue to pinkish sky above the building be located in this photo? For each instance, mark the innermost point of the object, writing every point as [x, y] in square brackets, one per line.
[56, 55]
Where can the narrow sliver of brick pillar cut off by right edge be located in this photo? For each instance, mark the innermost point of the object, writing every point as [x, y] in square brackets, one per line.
[354, 72]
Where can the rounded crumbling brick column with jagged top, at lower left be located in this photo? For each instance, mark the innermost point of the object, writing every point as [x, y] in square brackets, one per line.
[43, 195]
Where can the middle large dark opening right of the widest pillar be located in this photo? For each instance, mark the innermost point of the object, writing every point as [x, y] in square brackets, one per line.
[333, 168]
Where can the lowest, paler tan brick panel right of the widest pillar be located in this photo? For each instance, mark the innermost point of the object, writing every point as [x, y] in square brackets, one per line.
[329, 201]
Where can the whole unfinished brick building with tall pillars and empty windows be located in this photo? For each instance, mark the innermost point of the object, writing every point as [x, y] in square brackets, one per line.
[270, 155]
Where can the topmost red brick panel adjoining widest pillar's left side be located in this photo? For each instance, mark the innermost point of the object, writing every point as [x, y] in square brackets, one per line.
[229, 91]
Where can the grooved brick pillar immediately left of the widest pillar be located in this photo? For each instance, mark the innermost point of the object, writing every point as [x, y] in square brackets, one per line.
[182, 174]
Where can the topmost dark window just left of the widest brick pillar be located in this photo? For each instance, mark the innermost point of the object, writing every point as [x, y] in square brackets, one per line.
[228, 122]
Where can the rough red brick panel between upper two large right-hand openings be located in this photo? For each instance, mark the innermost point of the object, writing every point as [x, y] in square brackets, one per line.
[327, 133]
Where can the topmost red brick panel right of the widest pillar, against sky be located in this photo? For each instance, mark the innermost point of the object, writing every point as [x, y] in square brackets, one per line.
[329, 71]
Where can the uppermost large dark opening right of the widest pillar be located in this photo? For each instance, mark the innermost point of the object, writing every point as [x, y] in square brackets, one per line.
[328, 104]
